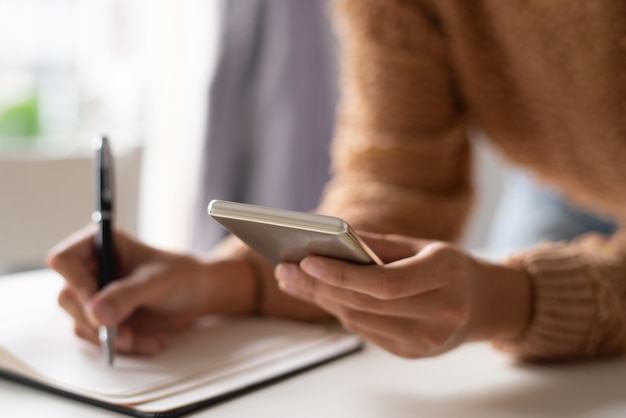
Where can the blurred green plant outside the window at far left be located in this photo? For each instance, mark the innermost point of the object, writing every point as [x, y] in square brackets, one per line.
[19, 121]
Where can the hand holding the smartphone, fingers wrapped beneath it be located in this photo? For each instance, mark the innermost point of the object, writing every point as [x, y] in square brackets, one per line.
[428, 298]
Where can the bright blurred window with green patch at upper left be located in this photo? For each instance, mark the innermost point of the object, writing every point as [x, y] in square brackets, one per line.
[70, 69]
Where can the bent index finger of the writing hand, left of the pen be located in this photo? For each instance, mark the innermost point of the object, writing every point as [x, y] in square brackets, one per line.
[73, 258]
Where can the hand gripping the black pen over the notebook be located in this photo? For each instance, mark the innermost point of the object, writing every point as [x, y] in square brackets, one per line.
[158, 292]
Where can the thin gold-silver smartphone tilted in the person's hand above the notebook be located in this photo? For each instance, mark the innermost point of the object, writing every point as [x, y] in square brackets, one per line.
[284, 235]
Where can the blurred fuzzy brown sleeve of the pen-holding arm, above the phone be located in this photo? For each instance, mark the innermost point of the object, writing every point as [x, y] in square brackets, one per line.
[401, 158]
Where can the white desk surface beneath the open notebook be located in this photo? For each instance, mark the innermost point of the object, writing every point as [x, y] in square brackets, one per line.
[473, 381]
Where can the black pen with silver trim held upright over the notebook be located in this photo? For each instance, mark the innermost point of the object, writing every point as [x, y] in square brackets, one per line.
[105, 248]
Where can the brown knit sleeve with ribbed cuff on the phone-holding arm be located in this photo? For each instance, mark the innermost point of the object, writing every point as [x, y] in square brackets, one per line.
[579, 292]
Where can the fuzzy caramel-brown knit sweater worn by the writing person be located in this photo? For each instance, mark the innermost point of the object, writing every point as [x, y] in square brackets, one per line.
[547, 82]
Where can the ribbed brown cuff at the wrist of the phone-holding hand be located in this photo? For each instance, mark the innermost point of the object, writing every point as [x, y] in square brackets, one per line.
[563, 309]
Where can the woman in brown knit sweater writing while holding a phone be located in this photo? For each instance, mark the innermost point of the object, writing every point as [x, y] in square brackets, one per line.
[544, 81]
